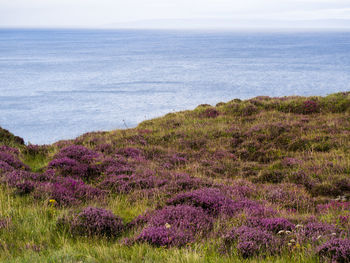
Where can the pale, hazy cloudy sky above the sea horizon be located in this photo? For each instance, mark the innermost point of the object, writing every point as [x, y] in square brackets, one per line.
[175, 13]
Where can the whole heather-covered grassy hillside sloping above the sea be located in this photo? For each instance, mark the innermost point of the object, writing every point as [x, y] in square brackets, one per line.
[261, 180]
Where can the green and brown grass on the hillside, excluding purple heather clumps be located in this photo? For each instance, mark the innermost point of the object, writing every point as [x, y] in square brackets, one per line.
[236, 140]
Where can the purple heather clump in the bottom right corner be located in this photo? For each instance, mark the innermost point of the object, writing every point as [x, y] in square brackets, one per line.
[338, 250]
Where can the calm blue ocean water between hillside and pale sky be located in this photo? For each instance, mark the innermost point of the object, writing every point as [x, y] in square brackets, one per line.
[58, 84]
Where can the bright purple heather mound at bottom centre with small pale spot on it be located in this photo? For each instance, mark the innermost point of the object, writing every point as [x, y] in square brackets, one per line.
[176, 226]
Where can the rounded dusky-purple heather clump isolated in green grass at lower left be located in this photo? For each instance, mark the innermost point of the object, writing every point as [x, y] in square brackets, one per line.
[94, 221]
